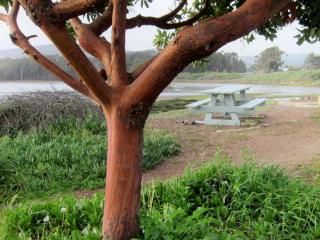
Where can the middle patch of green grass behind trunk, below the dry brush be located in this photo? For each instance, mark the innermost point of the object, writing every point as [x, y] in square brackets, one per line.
[67, 155]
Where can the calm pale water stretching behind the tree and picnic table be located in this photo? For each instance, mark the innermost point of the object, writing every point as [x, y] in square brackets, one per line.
[175, 89]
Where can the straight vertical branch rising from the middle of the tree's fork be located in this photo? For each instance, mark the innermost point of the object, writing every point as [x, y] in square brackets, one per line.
[118, 53]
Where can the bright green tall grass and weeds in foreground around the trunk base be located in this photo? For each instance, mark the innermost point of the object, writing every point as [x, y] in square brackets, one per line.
[219, 201]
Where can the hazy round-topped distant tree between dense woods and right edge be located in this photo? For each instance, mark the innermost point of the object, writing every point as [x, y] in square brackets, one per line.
[269, 60]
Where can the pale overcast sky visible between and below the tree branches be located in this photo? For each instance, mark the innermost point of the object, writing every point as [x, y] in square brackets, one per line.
[141, 38]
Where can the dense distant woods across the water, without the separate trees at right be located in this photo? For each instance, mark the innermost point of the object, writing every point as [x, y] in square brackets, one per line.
[26, 69]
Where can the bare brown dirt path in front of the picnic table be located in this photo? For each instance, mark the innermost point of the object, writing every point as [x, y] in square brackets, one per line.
[291, 138]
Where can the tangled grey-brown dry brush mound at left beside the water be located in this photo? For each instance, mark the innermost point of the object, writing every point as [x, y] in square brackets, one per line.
[39, 109]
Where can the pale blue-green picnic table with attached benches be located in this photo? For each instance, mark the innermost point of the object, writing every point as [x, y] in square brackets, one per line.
[229, 102]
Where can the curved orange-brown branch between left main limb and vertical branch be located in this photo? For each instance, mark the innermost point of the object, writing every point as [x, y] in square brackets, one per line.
[96, 46]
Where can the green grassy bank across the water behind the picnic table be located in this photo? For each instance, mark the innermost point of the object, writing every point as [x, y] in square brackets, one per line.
[301, 77]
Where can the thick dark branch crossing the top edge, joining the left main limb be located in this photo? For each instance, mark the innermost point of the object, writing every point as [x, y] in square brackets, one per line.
[73, 8]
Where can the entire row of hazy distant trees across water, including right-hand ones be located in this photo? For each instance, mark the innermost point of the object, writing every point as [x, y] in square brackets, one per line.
[269, 60]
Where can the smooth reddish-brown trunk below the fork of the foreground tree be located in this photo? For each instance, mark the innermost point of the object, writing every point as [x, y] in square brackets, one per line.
[123, 180]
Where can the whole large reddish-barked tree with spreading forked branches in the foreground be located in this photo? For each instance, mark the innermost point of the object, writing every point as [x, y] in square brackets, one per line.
[200, 28]
